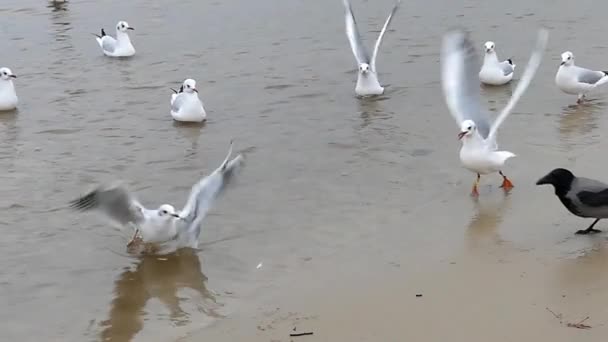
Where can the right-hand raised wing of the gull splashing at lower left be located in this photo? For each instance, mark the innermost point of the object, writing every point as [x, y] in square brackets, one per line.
[207, 189]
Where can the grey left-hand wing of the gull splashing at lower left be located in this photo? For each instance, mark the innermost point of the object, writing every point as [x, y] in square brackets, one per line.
[115, 201]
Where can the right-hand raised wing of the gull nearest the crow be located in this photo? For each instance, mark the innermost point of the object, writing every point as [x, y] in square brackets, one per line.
[524, 81]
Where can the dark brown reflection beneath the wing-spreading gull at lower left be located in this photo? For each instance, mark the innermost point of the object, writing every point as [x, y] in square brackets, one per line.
[156, 277]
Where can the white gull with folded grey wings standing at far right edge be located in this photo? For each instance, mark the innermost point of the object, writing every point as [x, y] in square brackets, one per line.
[575, 80]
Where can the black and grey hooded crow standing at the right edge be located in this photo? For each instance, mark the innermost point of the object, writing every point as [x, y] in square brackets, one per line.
[583, 197]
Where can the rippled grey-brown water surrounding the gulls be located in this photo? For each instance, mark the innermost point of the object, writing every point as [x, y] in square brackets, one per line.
[330, 179]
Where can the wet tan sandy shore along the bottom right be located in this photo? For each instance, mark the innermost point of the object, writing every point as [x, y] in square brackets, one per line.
[495, 295]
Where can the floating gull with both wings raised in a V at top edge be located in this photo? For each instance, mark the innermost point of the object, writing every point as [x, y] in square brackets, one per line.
[367, 80]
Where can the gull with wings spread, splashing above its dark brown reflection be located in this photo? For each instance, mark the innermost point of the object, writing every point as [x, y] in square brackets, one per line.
[164, 227]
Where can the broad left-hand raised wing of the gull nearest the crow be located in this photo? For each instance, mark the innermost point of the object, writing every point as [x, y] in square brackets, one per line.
[459, 78]
